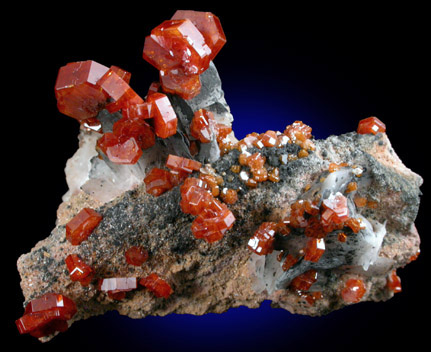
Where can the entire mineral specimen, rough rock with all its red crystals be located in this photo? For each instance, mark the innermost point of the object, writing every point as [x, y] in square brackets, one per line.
[149, 227]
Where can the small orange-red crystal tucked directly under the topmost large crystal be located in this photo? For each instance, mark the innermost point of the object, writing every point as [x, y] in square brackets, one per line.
[175, 81]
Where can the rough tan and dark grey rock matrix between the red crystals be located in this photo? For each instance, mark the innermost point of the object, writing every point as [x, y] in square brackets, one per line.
[214, 277]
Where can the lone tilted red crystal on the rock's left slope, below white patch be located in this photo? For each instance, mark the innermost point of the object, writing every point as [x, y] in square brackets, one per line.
[82, 225]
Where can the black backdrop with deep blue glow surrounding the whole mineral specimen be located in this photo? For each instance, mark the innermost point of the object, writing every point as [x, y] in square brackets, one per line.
[327, 70]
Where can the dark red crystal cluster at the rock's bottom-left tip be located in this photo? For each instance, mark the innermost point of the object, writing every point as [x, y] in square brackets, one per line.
[46, 315]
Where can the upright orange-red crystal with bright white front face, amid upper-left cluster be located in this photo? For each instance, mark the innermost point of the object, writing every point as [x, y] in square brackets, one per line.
[165, 118]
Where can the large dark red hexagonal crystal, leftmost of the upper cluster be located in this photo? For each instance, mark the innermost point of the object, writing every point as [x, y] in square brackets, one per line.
[76, 91]
